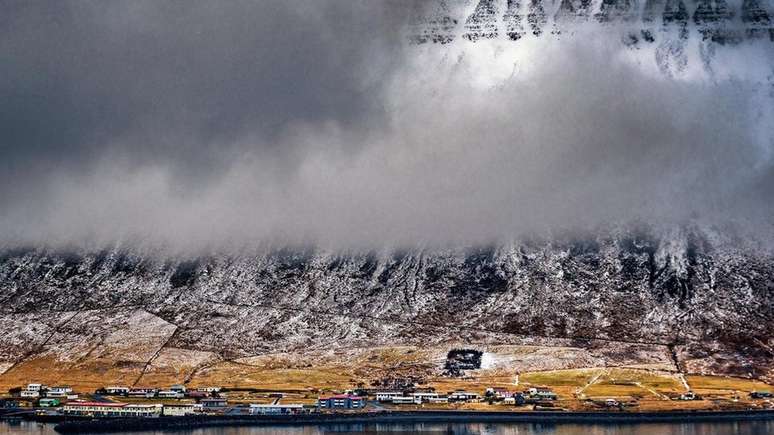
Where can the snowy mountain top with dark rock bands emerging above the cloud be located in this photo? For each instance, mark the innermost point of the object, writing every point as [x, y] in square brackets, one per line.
[678, 32]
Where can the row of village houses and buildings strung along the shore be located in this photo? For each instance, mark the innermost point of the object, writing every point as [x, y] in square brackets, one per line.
[178, 400]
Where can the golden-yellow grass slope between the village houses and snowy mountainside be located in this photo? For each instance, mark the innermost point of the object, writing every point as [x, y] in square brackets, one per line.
[303, 377]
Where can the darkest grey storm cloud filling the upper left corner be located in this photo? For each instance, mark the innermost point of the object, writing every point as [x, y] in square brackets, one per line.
[177, 83]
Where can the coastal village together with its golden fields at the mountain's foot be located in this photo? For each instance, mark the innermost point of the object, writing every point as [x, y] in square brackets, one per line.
[386, 380]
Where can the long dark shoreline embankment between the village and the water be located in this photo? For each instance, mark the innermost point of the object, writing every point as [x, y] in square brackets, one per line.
[108, 425]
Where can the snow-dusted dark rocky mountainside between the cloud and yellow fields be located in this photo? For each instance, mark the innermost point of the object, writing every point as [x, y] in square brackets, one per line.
[704, 299]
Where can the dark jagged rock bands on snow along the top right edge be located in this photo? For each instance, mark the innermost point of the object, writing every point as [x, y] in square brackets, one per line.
[474, 20]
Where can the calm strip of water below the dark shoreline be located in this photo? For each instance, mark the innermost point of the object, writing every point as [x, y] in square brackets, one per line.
[742, 428]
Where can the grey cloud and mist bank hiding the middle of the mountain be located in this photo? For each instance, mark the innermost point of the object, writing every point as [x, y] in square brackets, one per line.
[209, 124]
